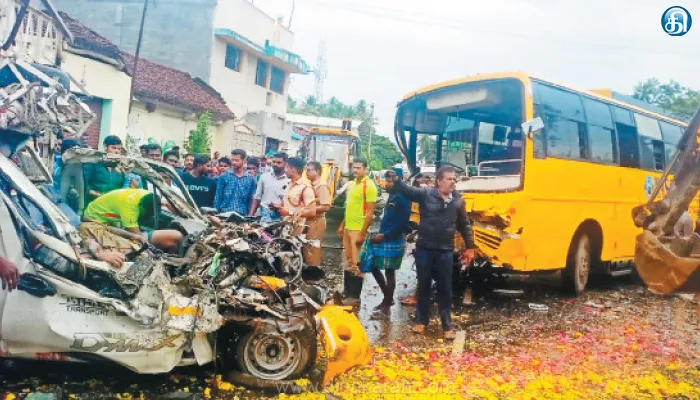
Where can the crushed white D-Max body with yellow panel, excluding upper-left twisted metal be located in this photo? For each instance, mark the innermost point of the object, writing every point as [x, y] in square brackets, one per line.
[233, 292]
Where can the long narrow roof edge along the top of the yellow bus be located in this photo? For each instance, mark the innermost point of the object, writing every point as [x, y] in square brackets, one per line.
[601, 94]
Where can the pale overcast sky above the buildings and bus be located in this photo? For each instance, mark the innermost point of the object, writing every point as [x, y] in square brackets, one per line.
[380, 50]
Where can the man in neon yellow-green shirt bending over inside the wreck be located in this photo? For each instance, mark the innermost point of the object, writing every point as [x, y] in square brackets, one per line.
[124, 208]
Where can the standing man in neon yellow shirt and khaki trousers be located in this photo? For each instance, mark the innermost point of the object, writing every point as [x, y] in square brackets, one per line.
[359, 213]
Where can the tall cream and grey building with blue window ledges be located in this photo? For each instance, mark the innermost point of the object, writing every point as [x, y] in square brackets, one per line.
[236, 48]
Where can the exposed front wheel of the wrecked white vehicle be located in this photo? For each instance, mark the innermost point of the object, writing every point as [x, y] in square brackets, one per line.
[268, 354]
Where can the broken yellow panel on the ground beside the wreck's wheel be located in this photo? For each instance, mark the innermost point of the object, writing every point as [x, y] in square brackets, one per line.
[344, 339]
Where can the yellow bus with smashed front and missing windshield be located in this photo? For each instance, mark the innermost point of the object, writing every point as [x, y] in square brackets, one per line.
[550, 174]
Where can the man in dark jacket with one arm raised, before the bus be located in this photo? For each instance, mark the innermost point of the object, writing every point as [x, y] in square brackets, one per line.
[442, 213]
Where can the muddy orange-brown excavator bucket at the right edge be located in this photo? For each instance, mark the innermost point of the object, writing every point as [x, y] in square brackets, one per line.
[672, 267]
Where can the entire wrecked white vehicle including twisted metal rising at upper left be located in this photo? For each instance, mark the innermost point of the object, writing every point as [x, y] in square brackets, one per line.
[157, 311]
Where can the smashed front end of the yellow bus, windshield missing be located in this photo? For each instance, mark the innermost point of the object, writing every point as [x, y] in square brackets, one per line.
[475, 127]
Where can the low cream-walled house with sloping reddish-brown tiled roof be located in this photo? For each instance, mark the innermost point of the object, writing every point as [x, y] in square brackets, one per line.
[166, 102]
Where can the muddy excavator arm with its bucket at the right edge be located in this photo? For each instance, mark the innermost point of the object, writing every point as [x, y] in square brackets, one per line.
[667, 262]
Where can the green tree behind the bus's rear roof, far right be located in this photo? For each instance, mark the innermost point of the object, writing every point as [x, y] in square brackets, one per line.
[671, 96]
